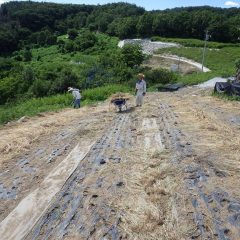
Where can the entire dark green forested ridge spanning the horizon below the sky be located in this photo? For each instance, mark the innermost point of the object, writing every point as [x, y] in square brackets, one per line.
[28, 23]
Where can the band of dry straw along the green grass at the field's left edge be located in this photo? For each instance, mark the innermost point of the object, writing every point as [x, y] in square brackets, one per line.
[19, 136]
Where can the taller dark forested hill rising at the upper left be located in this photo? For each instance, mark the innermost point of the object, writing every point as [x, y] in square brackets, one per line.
[23, 23]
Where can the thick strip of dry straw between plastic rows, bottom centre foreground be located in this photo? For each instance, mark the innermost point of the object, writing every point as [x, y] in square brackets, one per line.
[150, 210]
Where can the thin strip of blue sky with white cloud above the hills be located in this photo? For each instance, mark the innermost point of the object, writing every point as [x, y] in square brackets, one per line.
[155, 4]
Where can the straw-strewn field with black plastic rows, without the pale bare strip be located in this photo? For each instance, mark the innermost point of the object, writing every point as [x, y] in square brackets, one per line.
[168, 170]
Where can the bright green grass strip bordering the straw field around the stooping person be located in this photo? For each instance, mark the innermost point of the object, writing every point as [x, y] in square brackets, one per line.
[34, 106]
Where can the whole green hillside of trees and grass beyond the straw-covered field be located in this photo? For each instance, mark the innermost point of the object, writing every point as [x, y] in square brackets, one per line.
[47, 47]
